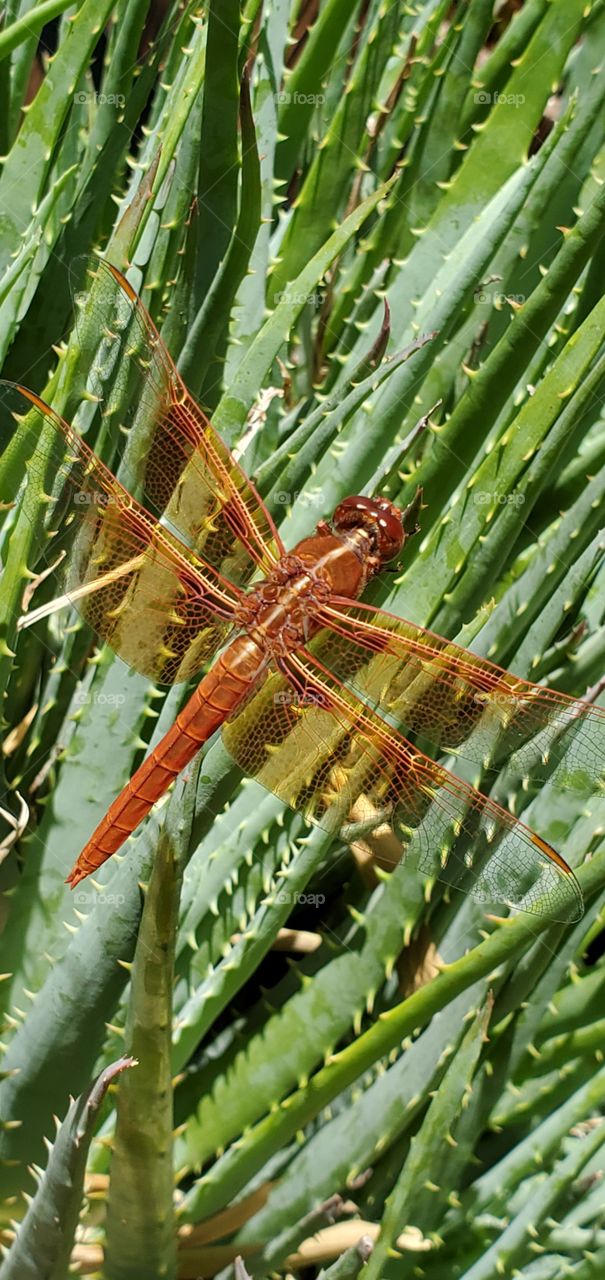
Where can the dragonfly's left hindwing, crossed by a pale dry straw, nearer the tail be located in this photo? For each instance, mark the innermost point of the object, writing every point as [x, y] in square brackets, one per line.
[159, 606]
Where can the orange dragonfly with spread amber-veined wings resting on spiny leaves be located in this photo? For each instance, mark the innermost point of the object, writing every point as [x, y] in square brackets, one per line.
[184, 565]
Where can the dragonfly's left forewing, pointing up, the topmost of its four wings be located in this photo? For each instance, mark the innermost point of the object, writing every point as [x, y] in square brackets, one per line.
[175, 463]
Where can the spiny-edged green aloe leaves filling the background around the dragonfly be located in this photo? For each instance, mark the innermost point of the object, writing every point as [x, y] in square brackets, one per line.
[373, 239]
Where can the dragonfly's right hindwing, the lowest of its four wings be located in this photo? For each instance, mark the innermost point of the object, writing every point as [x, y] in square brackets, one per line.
[310, 740]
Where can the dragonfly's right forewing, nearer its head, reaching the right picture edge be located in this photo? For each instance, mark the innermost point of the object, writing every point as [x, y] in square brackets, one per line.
[459, 702]
